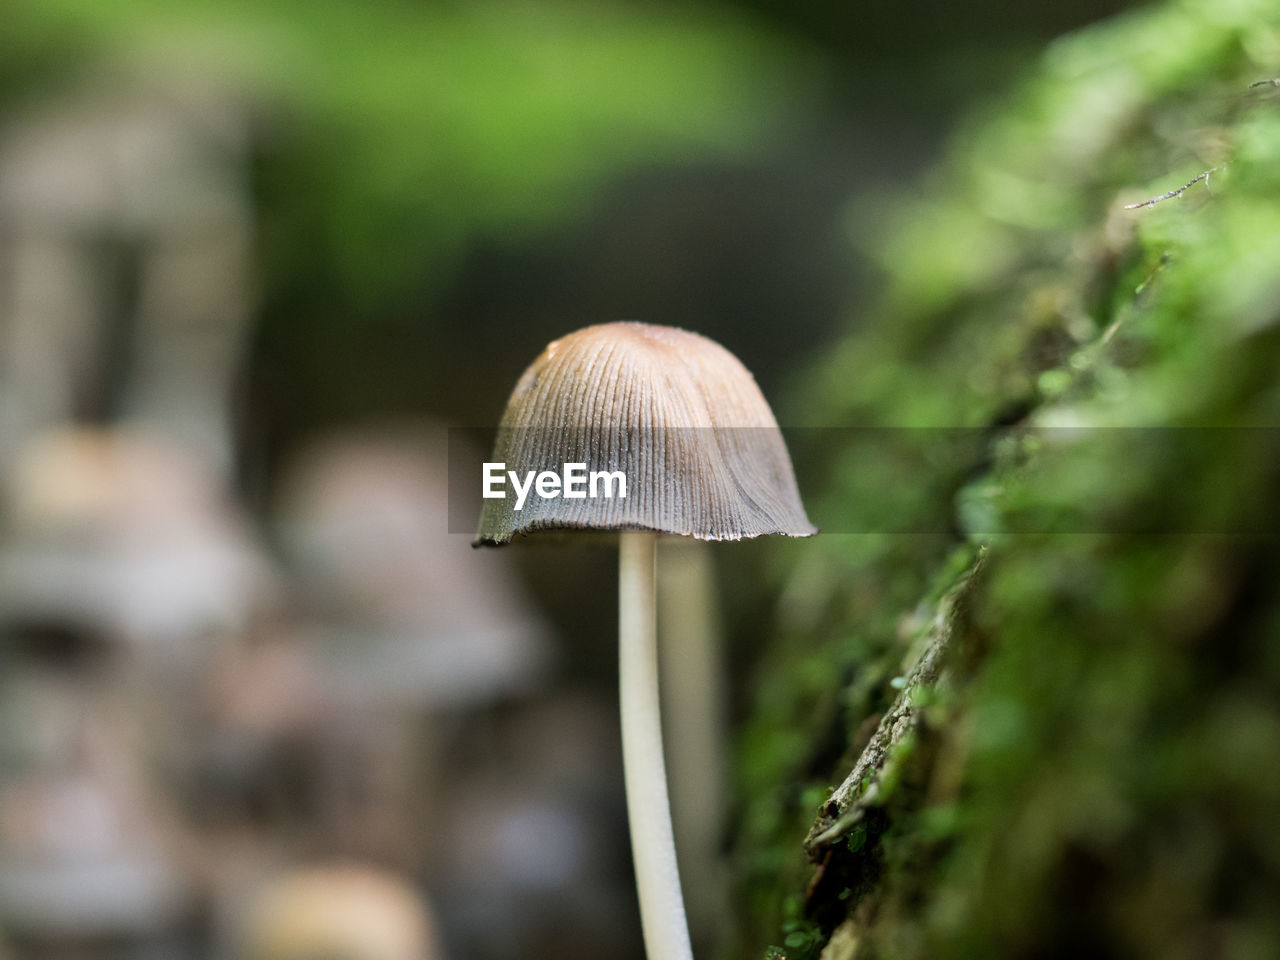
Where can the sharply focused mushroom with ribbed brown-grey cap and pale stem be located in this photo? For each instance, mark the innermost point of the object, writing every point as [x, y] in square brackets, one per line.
[700, 455]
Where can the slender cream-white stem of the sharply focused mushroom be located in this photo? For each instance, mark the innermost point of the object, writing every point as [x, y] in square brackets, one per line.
[653, 847]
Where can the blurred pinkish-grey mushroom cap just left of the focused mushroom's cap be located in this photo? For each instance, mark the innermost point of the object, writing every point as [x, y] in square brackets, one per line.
[406, 612]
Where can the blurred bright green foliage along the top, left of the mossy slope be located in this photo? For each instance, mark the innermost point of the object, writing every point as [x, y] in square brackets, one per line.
[395, 131]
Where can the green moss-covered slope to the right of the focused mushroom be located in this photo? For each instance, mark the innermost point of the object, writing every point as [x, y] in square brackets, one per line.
[1099, 775]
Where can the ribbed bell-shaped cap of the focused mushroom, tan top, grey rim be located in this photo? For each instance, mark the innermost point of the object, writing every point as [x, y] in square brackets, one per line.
[674, 412]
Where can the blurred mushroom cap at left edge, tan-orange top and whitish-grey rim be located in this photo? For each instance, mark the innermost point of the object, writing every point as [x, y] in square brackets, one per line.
[126, 537]
